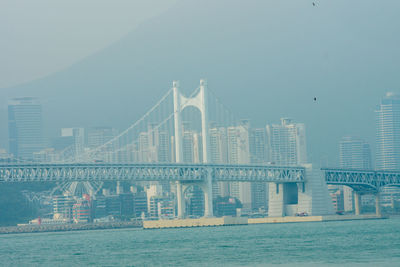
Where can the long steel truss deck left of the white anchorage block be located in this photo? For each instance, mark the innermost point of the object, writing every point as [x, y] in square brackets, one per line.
[149, 172]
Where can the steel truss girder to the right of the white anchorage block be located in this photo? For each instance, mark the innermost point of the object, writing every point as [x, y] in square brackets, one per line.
[367, 180]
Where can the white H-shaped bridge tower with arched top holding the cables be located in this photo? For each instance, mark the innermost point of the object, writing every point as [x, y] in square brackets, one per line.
[198, 101]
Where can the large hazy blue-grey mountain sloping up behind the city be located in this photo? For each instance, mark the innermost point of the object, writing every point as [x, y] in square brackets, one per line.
[265, 59]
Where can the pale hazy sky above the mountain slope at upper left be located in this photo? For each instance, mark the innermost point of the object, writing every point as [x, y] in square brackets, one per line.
[44, 36]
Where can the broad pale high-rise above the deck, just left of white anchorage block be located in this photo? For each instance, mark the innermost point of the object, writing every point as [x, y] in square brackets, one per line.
[287, 143]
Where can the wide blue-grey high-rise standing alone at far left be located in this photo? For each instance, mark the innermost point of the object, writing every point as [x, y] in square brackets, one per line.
[25, 127]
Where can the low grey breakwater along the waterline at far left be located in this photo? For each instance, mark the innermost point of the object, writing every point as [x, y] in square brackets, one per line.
[67, 227]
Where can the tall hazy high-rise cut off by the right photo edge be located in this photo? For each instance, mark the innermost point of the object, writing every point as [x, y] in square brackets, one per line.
[388, 142]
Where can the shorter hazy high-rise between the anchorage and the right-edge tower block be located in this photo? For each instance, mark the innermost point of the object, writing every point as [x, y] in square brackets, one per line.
[355, 153]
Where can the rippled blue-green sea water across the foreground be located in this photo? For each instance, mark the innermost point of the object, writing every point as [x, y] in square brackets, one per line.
[348, 243]
